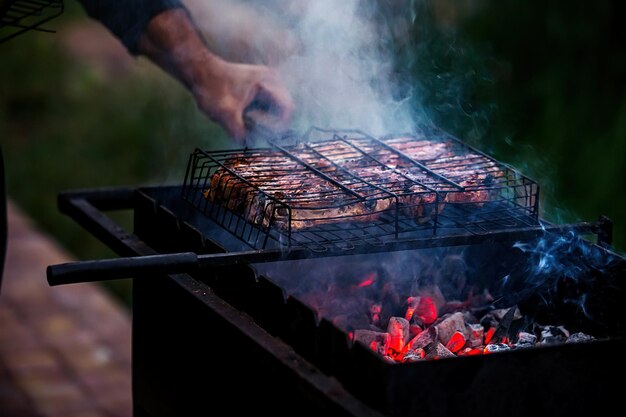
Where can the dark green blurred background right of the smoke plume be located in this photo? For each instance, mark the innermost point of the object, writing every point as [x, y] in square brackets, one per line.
[539, 85]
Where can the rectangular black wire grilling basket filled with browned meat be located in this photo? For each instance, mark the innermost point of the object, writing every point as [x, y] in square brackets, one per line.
[351, 189]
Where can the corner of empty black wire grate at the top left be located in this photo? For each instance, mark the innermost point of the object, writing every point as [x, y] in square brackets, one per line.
[19, 16]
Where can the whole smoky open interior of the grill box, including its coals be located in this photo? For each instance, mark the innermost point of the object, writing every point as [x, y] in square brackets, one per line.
[438, 303]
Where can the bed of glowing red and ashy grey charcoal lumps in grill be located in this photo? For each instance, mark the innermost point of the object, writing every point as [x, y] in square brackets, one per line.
[424, 317]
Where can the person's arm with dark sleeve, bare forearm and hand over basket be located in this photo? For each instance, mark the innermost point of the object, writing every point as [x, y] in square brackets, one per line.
[164, 33]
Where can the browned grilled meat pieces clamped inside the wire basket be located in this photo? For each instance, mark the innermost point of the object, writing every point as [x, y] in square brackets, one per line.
[351, 179]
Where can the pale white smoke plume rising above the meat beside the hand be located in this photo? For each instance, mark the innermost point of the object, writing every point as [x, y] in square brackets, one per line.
[334, 57]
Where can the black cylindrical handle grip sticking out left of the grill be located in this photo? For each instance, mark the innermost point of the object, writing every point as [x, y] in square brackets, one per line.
[109, 269]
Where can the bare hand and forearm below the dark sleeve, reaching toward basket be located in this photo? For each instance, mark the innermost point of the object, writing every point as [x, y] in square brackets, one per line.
[223, 90]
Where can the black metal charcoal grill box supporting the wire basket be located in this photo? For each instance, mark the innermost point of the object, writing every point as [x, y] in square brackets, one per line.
[232, 321]
